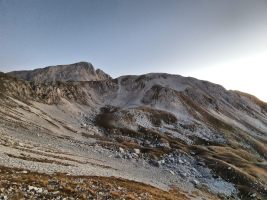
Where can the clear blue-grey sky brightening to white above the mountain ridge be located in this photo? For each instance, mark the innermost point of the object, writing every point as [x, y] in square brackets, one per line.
[222, 41]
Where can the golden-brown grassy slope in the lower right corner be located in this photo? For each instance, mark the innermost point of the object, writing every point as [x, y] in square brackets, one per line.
[236, 166]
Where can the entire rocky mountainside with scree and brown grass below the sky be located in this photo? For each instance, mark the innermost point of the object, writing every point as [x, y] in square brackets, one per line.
[73, 132]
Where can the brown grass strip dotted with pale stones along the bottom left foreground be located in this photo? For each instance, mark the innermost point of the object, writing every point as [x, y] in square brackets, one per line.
[59, 186]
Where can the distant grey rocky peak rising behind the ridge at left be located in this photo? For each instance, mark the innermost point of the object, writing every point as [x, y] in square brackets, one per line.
[81, 71]
